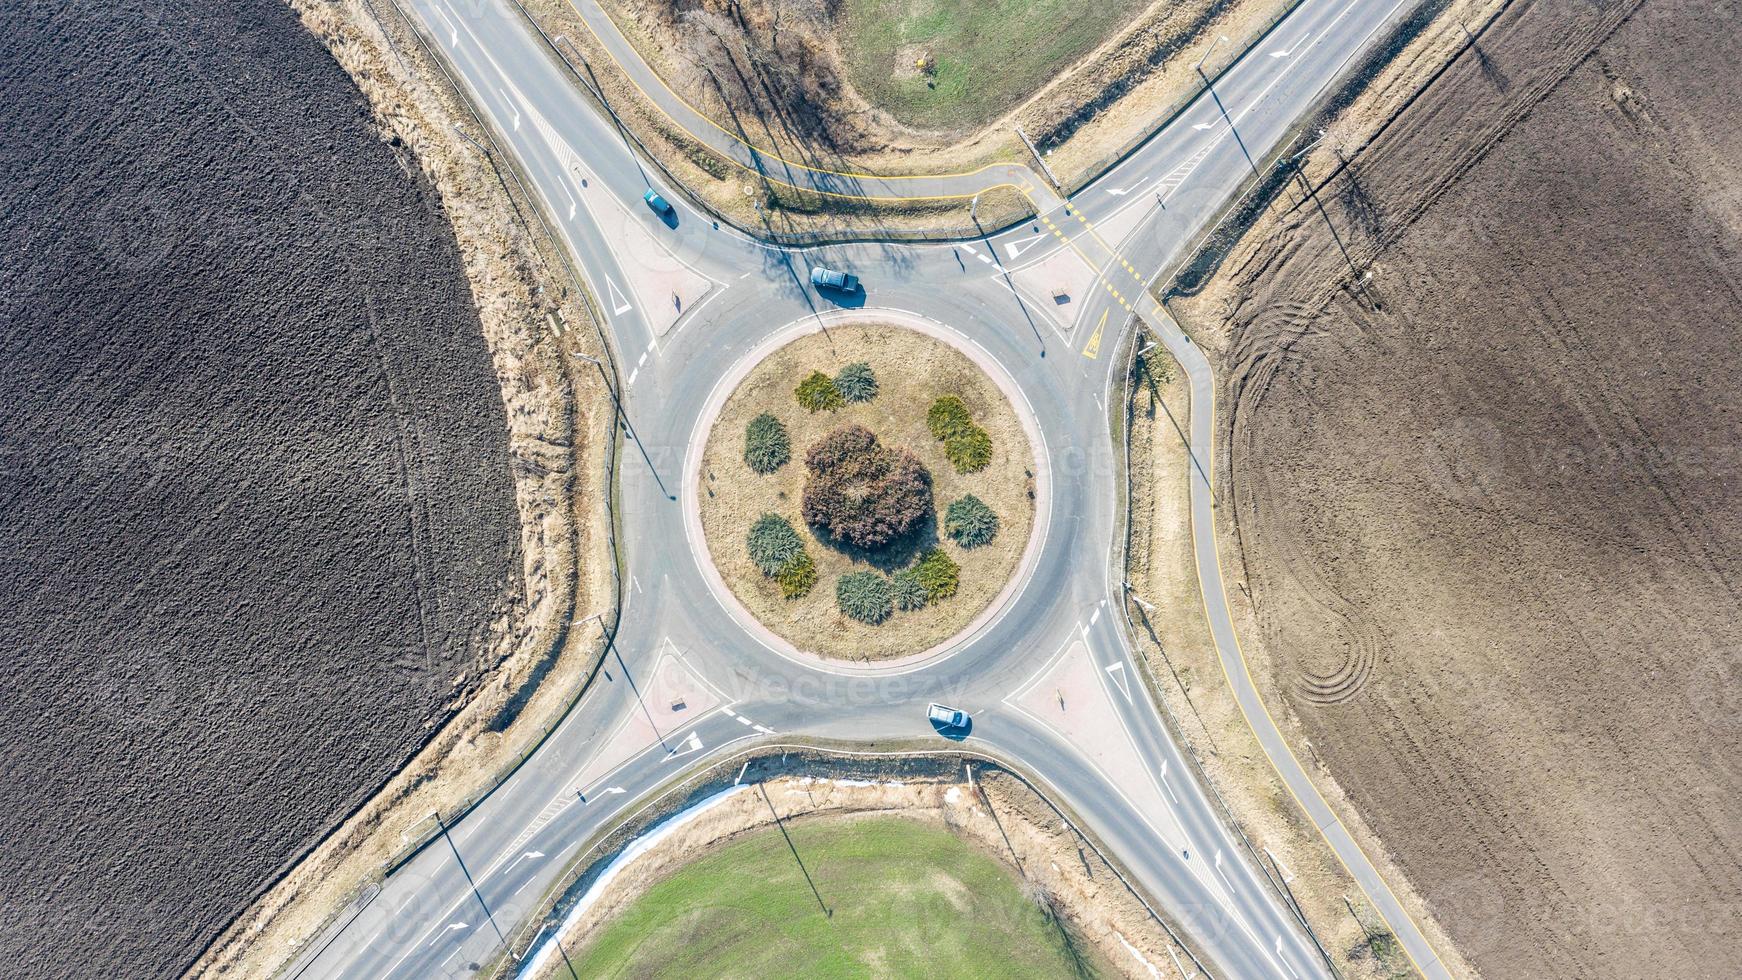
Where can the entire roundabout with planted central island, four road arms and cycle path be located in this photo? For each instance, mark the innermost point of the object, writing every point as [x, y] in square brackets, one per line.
[699, 671]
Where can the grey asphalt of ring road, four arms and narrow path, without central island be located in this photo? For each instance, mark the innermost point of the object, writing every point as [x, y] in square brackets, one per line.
[459, 899]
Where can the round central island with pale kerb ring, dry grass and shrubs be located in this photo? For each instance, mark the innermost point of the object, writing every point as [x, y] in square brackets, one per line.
[971, 492]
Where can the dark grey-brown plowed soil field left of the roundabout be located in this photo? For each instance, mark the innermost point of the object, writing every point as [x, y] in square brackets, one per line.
[255, 502]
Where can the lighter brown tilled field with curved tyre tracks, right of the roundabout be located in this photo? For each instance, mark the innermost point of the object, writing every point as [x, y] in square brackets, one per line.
[1489, 506]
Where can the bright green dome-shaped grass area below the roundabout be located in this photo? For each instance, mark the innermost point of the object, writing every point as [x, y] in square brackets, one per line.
[903, 899]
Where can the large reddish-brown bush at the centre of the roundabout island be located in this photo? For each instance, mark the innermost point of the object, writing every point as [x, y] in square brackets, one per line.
[863, 493]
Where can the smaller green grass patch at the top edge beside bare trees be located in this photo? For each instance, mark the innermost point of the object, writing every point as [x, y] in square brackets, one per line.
[989, 57]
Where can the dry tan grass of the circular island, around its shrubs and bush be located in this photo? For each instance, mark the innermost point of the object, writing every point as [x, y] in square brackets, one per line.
[912, 370]
